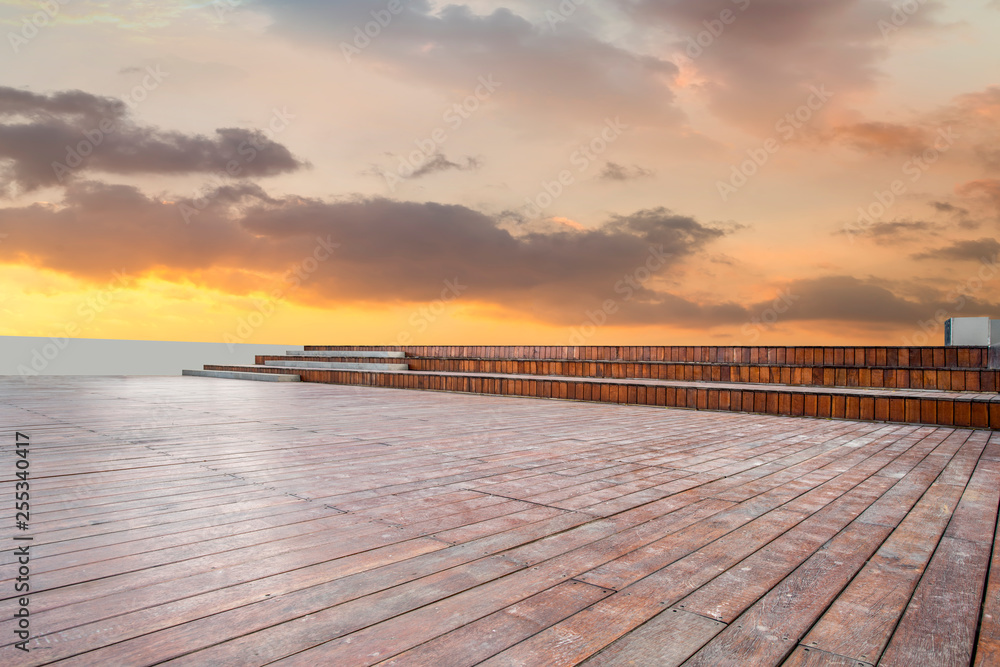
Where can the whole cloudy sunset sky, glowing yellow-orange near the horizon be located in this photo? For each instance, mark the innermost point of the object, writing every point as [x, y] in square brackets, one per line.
[583, 172]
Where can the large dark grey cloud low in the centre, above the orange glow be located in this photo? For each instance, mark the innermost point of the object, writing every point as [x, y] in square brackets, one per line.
[404, 250]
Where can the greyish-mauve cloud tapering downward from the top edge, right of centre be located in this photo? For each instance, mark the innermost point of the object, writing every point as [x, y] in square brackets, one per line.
[762, 61]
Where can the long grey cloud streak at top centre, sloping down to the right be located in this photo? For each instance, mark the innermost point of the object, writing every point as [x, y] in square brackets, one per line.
[568, 71]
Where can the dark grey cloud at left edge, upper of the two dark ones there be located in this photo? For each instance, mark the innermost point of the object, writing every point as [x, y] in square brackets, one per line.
[50, 139]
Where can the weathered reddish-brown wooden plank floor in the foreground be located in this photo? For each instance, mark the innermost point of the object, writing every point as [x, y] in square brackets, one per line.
[196, 521]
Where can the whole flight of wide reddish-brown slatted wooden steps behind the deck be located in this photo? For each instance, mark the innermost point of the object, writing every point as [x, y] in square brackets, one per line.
[901, 385]
